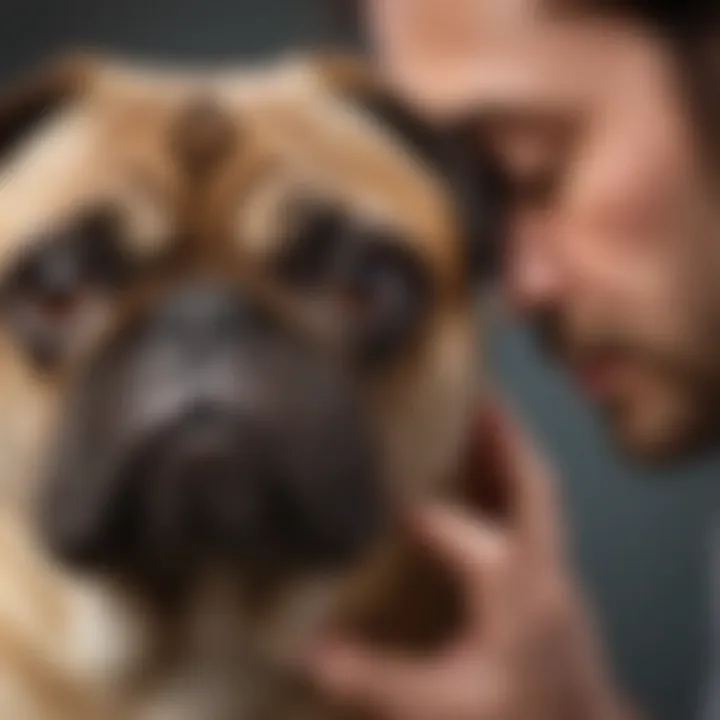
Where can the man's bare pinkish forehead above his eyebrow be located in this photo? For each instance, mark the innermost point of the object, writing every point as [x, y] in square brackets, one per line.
[542, 64]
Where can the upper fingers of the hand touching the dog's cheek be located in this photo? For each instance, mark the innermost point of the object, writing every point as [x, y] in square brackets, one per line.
[484, 551]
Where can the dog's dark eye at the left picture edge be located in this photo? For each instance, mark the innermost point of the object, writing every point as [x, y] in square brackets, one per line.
[60, 283]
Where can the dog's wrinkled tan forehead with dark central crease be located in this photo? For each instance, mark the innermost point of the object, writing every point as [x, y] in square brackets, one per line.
[221, 159]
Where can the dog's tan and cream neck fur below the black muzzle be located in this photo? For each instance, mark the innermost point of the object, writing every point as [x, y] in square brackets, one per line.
[116, 657]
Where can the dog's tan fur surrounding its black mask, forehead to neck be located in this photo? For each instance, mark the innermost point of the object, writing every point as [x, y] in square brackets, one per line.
[72, 647]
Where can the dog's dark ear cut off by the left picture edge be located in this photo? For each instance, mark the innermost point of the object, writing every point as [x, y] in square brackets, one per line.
[26, 101]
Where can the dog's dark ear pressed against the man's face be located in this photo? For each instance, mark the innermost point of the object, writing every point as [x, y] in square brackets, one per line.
[452, 151]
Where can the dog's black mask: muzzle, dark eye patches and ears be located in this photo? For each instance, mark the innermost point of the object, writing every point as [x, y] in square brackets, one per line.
[206, 429]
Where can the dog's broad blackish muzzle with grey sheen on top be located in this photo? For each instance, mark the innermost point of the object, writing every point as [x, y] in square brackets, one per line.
[209, 432]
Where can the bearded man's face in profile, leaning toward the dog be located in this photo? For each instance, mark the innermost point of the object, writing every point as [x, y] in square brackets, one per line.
[614, 252]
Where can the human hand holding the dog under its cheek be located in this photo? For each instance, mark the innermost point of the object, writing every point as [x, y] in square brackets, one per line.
[527, 649]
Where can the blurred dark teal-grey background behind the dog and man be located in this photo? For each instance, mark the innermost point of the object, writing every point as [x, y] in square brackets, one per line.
[641, 547]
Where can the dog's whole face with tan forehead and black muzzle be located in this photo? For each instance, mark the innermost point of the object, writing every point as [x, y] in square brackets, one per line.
[236, 320]
